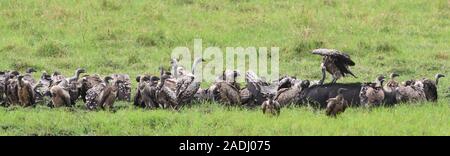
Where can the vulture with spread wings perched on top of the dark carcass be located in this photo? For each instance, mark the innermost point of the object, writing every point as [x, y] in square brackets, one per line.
[334, 62]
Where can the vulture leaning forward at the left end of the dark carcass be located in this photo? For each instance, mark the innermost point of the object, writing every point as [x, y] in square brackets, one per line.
[291, 94]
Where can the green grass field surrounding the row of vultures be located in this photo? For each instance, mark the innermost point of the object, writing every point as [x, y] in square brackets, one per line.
[411, 37]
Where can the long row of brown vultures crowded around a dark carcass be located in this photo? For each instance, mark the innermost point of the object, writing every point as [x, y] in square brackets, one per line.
[178, 87]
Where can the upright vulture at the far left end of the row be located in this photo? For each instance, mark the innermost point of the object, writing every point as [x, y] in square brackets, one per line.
[11, 86]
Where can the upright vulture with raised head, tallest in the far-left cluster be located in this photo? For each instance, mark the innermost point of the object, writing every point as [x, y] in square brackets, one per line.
[75, 85]
